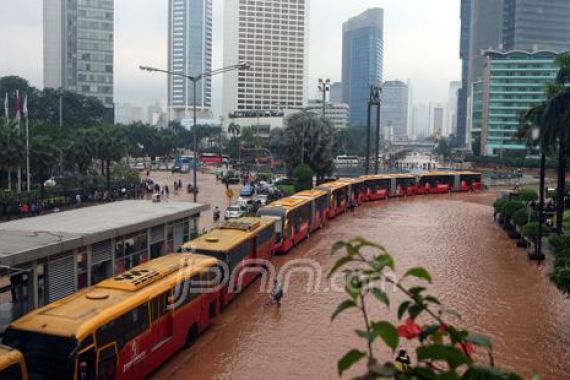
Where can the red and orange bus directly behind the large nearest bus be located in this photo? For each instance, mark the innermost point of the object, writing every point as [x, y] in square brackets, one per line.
[235, 243]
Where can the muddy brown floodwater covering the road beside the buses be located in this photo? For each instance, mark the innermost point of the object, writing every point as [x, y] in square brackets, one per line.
[476, 269]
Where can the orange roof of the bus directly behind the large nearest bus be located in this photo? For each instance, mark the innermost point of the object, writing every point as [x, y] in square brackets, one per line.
[229, 235]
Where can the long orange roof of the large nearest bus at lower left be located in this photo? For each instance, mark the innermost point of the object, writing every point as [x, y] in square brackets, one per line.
[83, 312]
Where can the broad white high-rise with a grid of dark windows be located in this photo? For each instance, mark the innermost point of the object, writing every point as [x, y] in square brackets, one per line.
[272, 36]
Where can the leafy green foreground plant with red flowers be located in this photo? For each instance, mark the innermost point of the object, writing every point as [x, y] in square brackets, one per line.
[443, 351]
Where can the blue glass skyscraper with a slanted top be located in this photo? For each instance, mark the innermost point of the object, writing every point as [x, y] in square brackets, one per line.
[362, 61]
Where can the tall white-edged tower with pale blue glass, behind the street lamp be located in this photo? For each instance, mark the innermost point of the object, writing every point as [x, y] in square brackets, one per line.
[190, 53]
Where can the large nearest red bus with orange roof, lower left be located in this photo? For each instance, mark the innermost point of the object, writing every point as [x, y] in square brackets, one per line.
[123, 327]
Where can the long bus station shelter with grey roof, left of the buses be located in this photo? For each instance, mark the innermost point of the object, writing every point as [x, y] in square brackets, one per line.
[45, 258]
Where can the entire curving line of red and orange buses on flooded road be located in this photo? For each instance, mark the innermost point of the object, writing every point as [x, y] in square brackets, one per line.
[125, 327]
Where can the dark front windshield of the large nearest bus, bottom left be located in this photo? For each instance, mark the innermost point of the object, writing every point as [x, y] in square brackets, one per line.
[48, 356]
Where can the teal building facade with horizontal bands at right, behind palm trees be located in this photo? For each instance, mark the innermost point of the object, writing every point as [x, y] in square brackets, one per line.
[513, 82]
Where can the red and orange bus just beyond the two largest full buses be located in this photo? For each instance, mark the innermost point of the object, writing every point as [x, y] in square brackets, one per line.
[292, 221]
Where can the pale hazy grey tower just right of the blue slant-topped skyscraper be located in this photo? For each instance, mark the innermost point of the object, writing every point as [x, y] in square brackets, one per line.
[394, 109]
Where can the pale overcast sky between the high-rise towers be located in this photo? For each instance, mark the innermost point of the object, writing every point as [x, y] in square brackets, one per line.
[421, 44]
